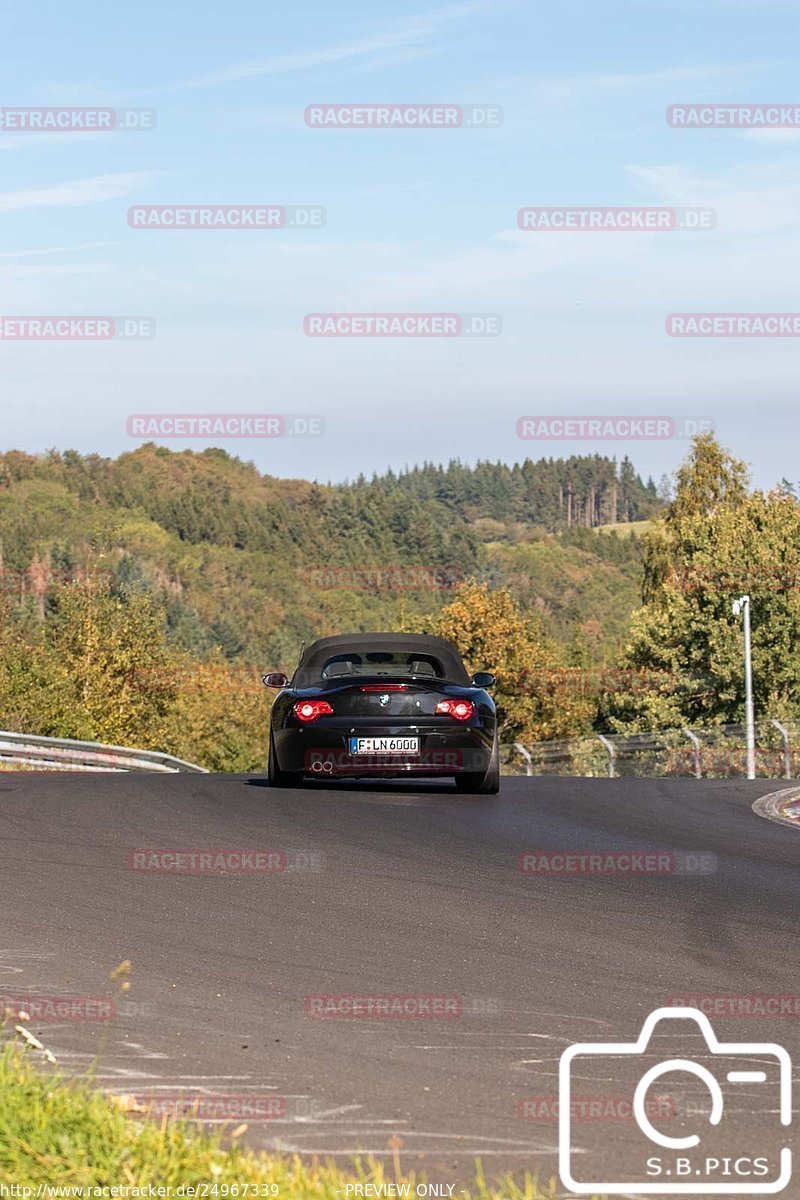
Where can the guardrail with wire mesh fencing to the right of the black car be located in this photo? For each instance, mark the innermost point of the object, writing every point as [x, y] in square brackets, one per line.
[713, 753]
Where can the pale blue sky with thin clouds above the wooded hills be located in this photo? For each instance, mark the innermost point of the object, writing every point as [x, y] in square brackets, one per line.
[417, 221]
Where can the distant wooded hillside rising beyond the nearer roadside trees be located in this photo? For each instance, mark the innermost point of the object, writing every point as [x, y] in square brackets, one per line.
[255, 566]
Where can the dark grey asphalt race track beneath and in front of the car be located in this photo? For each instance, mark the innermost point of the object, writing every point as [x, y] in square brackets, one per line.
[394, 891]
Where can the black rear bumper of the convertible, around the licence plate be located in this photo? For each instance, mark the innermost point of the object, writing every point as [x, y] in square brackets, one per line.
[324, 751]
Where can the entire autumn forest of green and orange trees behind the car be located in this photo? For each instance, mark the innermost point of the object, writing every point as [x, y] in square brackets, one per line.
[142, 598]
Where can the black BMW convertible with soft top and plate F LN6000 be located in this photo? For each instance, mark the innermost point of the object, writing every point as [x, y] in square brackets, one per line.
[384, 706]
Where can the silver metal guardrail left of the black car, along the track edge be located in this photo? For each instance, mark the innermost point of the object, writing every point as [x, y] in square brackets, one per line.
[63, 754]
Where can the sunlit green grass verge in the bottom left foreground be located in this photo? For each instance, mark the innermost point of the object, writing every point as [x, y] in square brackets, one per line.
[63, 1133]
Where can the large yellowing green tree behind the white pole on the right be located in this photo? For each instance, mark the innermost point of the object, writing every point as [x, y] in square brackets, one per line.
[715, 542]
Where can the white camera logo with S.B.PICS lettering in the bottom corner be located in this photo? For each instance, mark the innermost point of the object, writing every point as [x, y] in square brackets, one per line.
[725, 1159]
